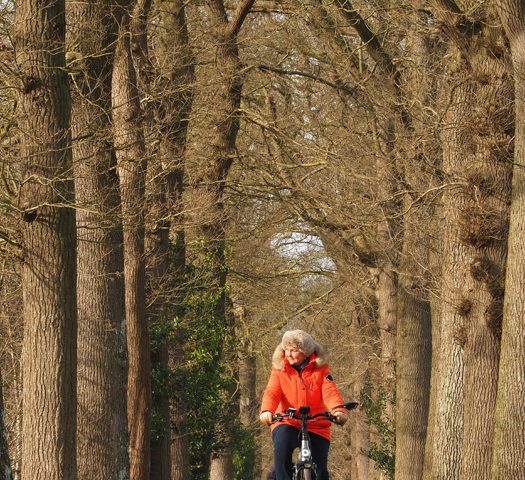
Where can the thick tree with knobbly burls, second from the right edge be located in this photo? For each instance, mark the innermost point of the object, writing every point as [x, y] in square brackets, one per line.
[476, 154]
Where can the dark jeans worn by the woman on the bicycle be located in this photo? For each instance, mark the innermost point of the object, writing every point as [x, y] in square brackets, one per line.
[285, 440]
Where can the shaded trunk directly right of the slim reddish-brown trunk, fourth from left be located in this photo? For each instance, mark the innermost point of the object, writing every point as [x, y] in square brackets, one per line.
[166, 258]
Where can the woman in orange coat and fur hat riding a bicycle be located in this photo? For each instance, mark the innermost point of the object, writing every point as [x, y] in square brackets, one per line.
[300, 377]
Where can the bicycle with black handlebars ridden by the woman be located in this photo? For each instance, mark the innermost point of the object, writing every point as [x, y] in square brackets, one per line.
[304, 468]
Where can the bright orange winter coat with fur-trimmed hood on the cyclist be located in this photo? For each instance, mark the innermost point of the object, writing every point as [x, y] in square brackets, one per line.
[314, 388]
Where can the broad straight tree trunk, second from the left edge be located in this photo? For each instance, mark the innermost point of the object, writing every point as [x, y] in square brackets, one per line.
[102, 372]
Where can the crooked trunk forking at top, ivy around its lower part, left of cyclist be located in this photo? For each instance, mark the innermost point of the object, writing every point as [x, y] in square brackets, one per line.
[211, 231]
